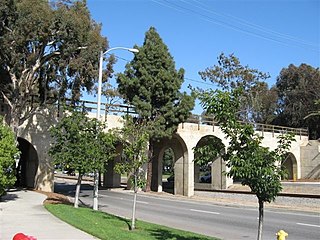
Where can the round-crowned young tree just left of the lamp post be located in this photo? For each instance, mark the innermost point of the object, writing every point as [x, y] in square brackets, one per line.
[81, 144]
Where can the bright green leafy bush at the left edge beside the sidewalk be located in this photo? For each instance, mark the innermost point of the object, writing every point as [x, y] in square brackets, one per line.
[8, 153]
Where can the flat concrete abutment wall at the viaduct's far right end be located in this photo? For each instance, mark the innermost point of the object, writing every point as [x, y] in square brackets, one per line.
[310, 160]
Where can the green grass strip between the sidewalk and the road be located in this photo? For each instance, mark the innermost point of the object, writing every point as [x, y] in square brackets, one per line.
[106, 226]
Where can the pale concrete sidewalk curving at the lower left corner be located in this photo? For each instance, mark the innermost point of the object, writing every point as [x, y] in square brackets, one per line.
[23, 211]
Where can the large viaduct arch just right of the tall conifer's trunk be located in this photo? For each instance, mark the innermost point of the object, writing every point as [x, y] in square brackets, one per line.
[180, 152]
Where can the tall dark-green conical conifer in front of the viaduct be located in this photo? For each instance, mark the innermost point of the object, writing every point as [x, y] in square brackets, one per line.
[151, 84]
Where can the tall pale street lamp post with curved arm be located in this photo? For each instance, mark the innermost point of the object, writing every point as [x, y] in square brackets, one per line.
[96, 175]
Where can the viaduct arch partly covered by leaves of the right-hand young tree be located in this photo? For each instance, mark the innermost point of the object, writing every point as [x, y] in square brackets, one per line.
[211, 175]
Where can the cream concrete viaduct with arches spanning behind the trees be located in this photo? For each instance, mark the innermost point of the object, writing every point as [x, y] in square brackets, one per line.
[36, 171]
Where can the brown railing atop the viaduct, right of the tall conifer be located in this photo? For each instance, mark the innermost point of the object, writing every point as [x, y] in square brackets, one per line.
[209, 120]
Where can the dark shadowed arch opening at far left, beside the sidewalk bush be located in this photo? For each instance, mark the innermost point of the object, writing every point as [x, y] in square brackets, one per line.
[27, 166]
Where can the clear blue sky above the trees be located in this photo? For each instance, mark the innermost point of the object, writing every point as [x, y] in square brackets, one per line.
[264, 34]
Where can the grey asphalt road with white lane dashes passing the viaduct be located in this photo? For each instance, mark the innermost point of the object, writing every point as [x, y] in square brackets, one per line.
[225, 222]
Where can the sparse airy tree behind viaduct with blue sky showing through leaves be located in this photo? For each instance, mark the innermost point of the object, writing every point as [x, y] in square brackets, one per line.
[229, 74]
